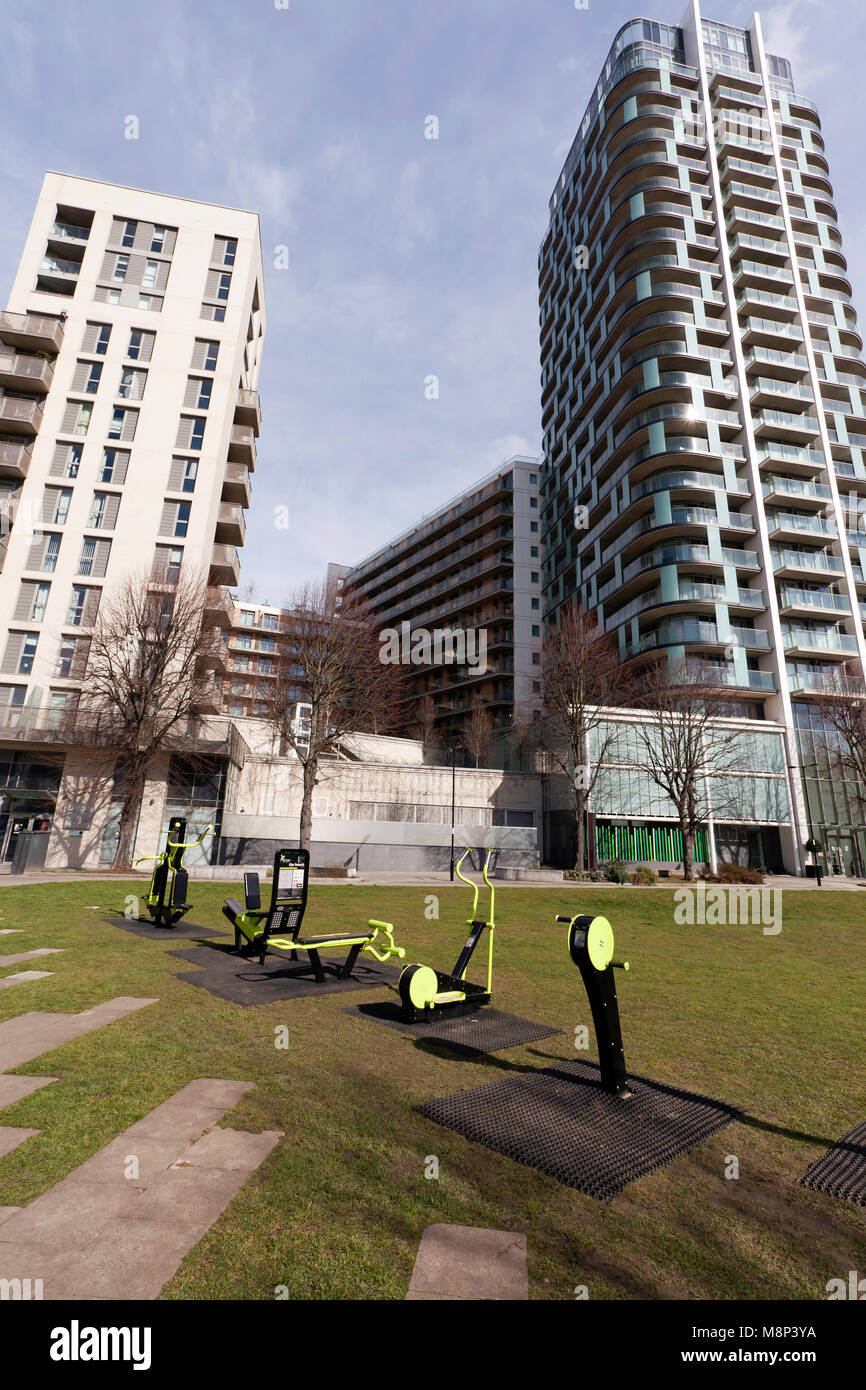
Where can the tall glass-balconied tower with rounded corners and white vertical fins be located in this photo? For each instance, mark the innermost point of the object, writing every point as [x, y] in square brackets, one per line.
[704, 393]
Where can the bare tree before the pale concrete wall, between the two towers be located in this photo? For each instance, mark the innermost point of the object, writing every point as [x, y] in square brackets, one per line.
[332, 654]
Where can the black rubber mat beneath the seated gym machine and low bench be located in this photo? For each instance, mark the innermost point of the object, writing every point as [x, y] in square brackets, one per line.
[243, 981]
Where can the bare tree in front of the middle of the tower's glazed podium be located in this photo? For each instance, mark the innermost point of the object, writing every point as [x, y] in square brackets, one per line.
[683, 746]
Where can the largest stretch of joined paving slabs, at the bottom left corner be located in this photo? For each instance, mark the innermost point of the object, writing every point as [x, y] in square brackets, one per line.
[120, 1225]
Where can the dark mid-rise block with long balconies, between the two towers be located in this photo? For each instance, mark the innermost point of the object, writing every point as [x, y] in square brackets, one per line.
[472, 569]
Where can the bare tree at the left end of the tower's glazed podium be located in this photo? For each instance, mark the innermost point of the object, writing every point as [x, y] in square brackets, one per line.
[583, 678]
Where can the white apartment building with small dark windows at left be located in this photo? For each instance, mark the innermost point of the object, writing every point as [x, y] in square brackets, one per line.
[130, 361]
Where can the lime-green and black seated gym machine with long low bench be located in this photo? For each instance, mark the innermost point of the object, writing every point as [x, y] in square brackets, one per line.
[277, 928]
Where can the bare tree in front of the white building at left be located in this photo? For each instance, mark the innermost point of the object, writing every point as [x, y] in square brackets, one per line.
[147, 682]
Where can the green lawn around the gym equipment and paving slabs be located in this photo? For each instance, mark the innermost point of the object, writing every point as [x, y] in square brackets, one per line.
[774, 1024]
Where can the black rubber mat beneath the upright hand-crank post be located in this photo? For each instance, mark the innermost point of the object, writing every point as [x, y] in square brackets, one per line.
[562, 1124]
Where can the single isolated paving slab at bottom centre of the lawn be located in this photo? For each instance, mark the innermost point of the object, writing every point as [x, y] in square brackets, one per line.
[469, 1263]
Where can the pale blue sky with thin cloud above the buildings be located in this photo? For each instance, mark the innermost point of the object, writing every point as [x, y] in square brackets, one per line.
[409, 258]
